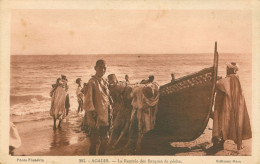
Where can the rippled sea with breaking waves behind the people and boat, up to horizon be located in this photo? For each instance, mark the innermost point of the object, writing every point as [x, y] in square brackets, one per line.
[33, 75]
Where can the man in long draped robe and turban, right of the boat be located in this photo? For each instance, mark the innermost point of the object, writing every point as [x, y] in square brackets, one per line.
[231, 120]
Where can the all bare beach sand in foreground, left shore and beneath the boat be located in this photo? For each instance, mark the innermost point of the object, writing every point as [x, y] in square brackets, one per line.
[39, 139]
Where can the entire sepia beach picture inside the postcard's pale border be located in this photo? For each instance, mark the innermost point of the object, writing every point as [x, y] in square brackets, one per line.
[130, 82]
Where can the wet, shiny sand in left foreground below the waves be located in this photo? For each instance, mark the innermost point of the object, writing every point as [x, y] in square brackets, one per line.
[38, 137]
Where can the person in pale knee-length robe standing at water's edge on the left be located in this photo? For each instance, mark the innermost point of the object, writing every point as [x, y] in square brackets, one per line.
[58, 96]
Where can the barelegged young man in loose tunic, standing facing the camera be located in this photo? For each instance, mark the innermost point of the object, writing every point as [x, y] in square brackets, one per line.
[97, 104]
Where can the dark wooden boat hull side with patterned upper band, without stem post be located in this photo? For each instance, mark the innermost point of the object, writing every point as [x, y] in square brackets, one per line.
[184, 106]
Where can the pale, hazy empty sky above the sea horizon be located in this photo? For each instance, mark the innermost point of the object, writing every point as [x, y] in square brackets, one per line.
[51, 32]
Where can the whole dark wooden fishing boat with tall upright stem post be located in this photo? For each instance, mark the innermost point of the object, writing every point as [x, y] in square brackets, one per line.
[184, 109]
